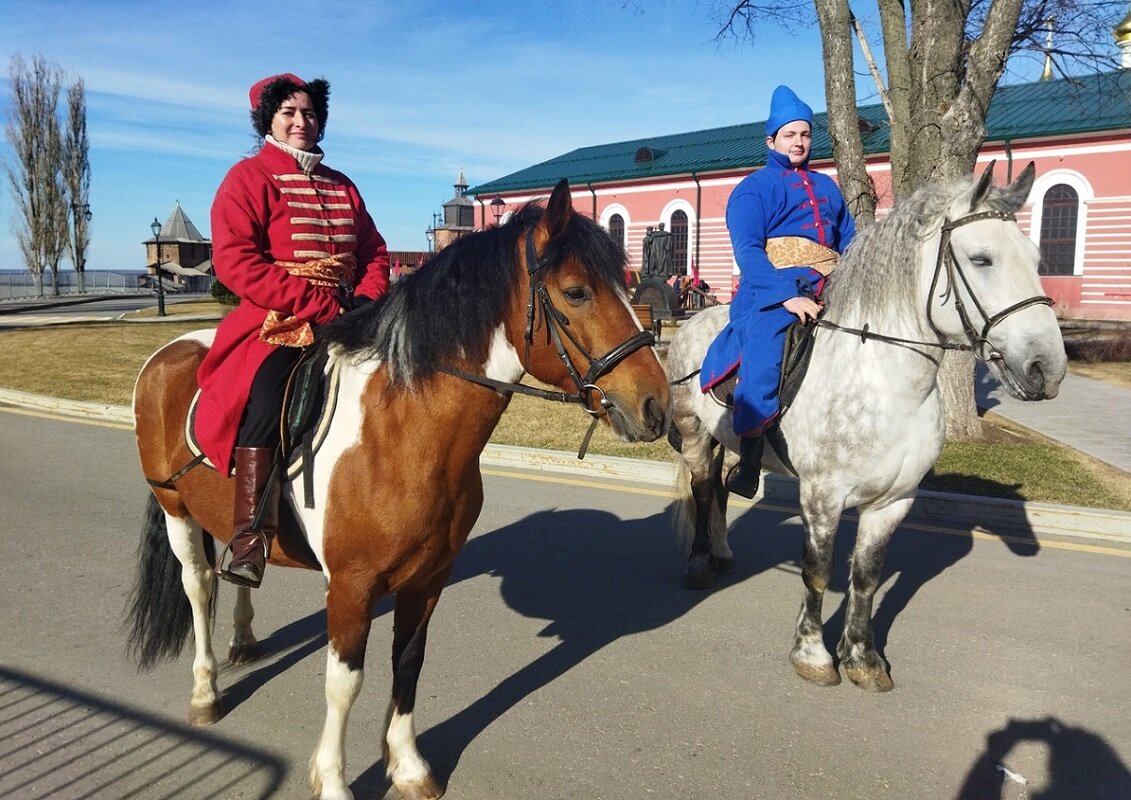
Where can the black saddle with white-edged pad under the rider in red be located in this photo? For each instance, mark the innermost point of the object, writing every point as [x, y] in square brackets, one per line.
[308, 409]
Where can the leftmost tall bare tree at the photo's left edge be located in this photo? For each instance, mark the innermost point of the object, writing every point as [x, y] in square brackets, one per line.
[37, 175]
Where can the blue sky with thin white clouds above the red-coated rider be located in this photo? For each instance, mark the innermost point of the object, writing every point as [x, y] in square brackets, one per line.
[420, 91]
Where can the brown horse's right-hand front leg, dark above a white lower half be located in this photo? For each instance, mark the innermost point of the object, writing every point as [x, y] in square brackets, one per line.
[404, 764]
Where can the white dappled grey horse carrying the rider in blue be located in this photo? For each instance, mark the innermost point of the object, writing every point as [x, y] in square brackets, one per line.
[948, 270]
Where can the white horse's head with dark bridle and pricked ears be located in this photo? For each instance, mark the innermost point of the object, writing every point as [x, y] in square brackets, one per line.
[985, 289]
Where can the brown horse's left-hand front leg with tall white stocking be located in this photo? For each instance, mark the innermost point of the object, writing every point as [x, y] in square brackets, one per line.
[348, 622]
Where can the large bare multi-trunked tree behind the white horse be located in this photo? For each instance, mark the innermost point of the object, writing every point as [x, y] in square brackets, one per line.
[943, 62]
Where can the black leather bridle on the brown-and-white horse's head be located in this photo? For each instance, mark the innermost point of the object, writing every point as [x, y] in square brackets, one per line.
[558, 331]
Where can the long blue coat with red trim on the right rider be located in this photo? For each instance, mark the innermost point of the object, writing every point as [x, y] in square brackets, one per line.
[778, 201]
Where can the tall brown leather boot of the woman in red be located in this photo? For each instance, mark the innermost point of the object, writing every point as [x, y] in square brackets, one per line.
[251, 548]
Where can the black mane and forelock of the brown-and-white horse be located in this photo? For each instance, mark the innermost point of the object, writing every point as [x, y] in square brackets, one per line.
[451, 307]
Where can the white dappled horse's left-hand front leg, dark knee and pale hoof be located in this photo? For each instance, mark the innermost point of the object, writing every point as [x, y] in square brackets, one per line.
[811, 660]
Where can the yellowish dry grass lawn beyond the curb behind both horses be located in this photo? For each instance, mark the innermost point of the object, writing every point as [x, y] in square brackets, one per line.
[100, 362]
